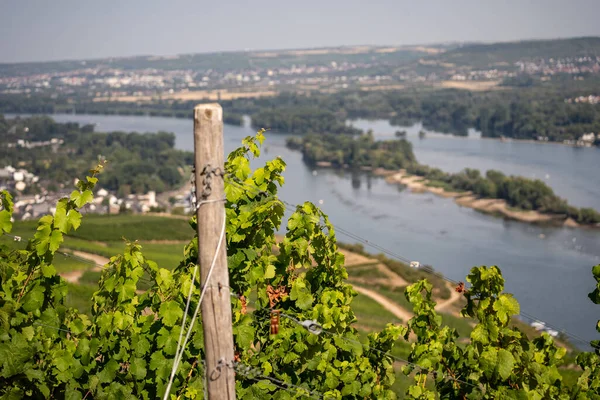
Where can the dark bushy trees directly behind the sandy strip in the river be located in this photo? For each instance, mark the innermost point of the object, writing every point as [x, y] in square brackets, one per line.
[519, 192]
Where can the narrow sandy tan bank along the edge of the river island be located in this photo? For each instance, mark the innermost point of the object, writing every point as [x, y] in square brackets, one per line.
[498, 207]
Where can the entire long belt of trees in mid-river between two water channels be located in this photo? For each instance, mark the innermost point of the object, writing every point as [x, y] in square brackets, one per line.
[347, 151]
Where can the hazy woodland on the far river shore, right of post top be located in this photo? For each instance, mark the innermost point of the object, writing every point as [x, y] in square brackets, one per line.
[523, 113]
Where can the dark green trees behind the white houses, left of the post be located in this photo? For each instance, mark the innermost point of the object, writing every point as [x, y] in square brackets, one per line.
[138, 162]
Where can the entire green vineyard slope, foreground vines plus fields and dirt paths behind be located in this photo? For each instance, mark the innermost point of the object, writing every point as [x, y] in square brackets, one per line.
[300, 328]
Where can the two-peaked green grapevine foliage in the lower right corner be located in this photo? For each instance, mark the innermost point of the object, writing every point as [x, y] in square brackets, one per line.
[499, 361]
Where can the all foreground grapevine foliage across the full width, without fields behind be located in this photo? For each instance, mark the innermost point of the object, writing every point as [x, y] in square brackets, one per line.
[127, 346]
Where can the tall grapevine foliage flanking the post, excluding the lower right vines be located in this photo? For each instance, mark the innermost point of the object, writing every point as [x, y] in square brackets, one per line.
[127, 347]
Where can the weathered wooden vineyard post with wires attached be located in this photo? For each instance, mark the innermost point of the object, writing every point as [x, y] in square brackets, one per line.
[216, 305]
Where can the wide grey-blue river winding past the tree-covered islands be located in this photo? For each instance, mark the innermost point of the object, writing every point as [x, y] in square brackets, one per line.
[548, 269]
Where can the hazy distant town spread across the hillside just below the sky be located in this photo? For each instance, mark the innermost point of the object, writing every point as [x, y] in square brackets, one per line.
[363, 67]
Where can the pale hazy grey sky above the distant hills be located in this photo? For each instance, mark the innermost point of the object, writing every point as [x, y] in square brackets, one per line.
[35, 30]
